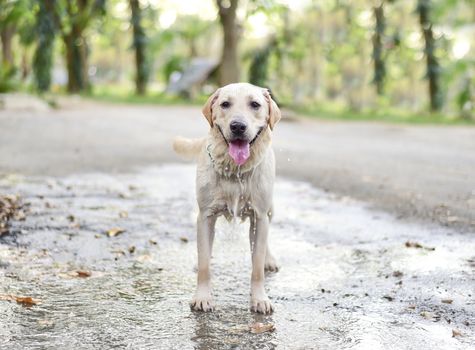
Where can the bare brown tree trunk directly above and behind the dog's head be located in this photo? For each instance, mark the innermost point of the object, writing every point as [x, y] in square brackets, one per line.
[229, 66]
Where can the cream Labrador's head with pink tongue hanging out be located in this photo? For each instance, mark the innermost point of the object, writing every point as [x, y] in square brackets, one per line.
[241, 112]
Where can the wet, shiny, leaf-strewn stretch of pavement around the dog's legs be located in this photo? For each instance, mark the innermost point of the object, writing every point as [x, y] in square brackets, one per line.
[350, 277]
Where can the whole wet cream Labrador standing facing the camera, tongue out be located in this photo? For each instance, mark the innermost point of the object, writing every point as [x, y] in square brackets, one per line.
[235, 178]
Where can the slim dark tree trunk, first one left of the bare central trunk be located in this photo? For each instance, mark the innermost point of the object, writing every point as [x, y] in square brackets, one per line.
[139, 44]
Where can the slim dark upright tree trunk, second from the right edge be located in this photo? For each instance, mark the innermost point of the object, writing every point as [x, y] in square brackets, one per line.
[378, 59]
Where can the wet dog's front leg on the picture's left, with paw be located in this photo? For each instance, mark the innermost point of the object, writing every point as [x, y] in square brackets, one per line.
[202, 300]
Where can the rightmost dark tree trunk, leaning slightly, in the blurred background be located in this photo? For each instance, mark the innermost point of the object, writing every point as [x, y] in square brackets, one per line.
[433, 68]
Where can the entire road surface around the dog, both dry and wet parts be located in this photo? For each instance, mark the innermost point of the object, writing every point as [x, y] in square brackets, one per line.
[351, 277]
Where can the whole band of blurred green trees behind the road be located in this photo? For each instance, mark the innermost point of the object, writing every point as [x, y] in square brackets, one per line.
[364, 56]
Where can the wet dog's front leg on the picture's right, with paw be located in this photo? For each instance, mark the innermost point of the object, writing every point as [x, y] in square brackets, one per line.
[258, 236]
